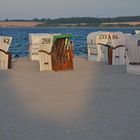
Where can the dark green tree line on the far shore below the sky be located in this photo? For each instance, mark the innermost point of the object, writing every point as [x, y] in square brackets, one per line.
[84, 21]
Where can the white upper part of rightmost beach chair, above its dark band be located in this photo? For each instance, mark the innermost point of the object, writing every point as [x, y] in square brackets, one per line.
[134, 49]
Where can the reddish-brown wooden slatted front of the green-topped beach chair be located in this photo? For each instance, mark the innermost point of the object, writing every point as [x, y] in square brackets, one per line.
[62, 54]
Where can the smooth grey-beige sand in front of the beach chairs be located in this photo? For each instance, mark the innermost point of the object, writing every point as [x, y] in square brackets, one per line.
[93, 102]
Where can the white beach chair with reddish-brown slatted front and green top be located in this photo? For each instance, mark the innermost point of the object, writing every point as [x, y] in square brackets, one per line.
[57, 53]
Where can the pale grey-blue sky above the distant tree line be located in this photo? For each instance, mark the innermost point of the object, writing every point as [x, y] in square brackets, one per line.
[29, 9]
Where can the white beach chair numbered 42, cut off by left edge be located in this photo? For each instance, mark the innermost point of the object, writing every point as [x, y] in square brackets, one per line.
[5, 56]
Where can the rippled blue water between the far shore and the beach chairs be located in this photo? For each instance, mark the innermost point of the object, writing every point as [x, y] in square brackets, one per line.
[20, 42]
